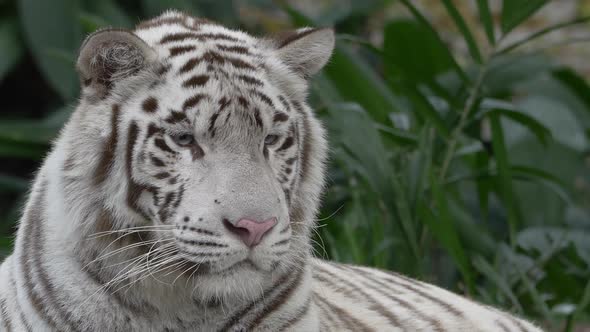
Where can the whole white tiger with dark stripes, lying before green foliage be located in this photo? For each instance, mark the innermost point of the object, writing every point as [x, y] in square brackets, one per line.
[181, 193]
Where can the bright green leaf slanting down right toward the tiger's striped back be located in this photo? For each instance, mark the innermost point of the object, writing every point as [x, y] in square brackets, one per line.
[443, 228]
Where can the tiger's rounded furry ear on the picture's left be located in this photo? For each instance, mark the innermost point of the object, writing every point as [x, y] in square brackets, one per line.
[109, 55]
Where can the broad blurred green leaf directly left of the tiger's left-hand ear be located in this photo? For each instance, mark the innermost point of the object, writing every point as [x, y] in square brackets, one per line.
[49, 27]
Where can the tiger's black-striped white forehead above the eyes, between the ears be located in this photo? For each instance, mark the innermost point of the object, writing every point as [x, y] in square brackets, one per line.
[206, 67]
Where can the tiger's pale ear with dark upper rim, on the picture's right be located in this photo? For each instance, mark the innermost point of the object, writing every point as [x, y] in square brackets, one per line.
[306, 50]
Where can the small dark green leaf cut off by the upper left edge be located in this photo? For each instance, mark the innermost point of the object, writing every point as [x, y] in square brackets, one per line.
[11, 45]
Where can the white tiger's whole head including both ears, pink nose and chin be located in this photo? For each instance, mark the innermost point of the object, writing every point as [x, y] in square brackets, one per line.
[208, 140]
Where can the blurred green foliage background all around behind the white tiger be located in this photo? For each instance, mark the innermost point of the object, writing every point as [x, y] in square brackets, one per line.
[459, 132]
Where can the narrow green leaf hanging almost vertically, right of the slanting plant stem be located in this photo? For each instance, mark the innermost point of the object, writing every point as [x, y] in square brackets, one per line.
[504, 175]
